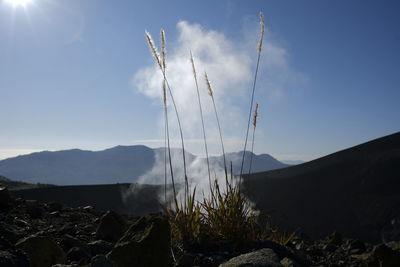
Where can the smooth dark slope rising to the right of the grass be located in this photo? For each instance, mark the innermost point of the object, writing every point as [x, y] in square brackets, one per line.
[355, 191]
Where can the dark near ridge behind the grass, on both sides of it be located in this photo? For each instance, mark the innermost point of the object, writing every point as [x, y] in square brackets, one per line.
[355, 191]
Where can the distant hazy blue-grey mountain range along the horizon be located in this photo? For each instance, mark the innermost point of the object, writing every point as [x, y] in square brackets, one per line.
[120, 164]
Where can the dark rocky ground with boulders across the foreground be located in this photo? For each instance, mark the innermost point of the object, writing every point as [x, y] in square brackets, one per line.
[48, 234]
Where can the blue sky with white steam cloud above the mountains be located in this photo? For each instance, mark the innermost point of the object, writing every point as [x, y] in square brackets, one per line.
[79, 74]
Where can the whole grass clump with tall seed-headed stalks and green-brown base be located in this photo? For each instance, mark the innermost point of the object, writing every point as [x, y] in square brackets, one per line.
[225, 213]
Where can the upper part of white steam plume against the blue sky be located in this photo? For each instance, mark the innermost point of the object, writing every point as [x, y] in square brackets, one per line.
[230, 67]
